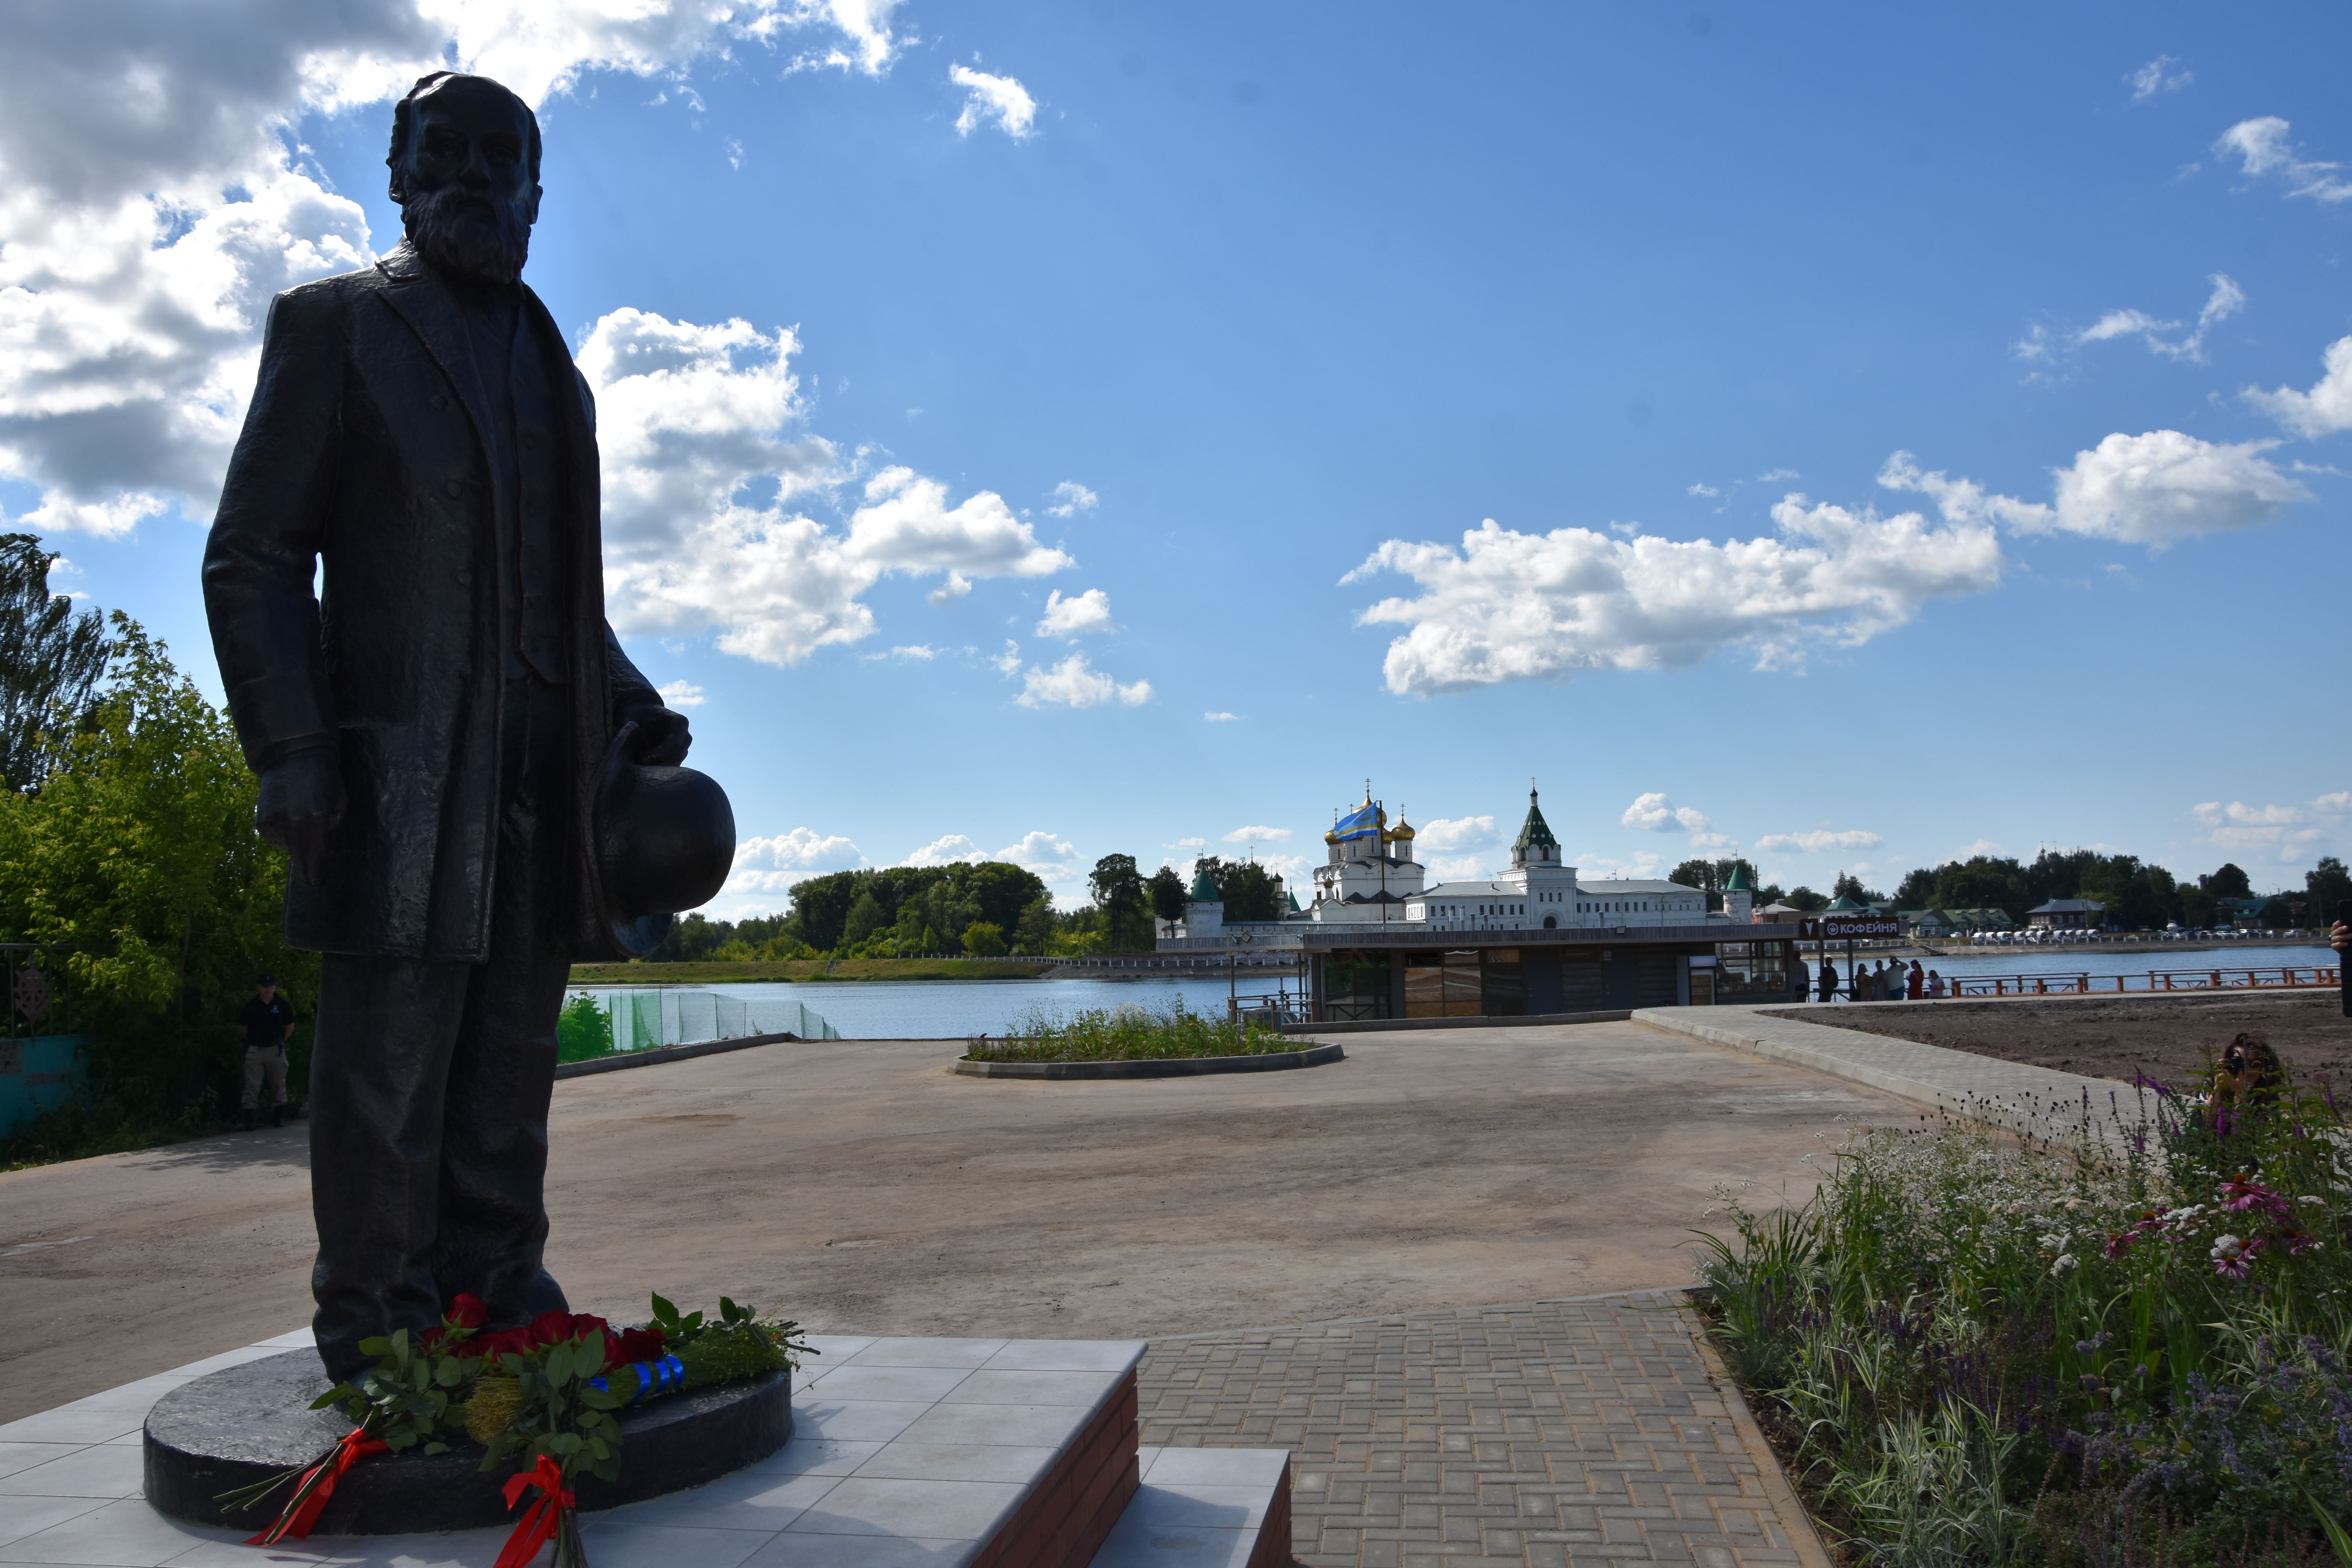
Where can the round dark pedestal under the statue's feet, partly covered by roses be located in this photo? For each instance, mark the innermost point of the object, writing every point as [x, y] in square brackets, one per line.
[246, 1423]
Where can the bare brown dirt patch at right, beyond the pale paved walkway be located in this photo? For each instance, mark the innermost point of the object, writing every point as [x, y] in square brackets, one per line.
[2116, 1038]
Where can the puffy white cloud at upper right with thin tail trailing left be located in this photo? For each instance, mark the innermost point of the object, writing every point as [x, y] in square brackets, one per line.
[2151, 490]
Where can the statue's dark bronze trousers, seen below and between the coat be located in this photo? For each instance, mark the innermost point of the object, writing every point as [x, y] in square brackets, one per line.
[429, 1092]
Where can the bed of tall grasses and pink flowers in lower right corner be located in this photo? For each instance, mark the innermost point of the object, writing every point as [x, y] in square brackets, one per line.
[2116, 1348]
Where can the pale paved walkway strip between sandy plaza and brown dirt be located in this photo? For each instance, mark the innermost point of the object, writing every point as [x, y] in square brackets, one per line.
[1958, 1083]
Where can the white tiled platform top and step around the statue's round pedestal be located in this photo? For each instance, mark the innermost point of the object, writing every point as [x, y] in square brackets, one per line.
[904, 1454]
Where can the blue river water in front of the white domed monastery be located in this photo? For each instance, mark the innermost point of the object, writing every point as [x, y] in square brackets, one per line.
[956, 1010]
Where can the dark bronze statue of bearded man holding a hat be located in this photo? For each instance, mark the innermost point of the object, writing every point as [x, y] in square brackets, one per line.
[436, 725]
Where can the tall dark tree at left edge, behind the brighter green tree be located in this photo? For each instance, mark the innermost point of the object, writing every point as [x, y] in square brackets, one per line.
[51, 662]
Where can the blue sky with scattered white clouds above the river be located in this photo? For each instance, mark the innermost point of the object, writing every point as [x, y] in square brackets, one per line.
[1057, 431]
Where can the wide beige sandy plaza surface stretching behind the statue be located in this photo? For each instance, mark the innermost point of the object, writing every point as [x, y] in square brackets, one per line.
[864, 1188]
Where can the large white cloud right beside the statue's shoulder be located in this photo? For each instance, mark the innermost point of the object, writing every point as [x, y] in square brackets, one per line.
[688, 417]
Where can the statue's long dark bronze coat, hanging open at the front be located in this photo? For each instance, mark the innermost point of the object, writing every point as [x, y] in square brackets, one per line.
[363, 450]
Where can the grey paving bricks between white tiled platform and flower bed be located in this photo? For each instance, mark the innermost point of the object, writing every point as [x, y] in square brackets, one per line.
[1546, 1433]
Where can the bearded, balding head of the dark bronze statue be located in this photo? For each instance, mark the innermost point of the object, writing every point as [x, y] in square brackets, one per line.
[467, 196]
